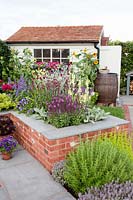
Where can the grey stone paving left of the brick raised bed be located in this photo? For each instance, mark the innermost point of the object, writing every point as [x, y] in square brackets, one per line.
[24, 178]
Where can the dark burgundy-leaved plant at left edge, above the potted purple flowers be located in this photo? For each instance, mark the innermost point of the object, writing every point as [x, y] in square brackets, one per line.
[6, 125]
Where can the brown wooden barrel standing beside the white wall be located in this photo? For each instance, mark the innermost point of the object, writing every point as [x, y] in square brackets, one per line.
[107, 87]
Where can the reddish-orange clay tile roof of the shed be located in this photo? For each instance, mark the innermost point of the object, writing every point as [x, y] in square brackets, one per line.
[57, 34]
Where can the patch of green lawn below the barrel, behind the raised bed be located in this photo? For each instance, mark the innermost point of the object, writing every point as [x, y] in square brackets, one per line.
[115, 111]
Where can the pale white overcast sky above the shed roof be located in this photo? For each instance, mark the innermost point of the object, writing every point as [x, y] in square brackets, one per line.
[115, 15]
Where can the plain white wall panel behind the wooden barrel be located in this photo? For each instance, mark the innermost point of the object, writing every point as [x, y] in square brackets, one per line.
[110, 56]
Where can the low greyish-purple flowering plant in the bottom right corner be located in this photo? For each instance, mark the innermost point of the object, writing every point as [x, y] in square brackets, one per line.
[111, 191]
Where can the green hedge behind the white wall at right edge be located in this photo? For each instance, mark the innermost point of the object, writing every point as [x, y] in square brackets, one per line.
[126, 61]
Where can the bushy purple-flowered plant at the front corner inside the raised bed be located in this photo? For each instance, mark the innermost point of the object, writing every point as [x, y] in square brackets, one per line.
[63, 111]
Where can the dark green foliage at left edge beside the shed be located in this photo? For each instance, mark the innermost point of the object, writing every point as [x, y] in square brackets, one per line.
[5, 69]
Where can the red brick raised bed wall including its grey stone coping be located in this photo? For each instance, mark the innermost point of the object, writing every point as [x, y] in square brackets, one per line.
[49, 144]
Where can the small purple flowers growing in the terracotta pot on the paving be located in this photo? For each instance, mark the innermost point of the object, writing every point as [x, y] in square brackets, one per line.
[8, 144]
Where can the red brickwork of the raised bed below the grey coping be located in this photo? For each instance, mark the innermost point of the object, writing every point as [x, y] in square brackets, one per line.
[49, 151]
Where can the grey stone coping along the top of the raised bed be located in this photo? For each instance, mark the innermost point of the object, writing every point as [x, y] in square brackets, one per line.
[53, 133]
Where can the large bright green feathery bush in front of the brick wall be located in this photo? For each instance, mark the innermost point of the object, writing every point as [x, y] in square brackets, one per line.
[95, 163]
